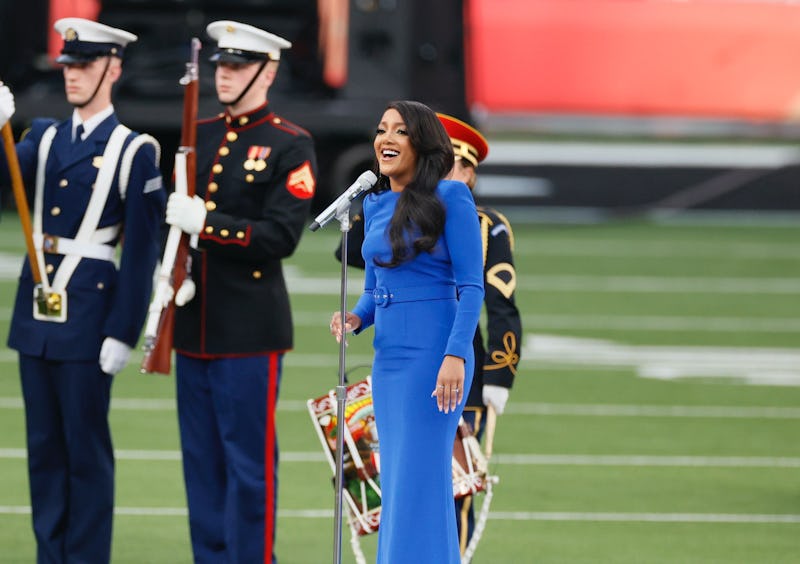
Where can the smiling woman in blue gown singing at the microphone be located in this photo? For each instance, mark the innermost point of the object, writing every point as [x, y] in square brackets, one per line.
[423, 291]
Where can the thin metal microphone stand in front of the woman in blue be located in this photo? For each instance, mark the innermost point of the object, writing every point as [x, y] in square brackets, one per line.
[343, 216]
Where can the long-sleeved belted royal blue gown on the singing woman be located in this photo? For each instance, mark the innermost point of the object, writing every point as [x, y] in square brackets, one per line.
[422, 310]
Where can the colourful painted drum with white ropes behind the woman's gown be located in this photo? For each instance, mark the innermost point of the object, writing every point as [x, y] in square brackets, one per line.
[361, 461]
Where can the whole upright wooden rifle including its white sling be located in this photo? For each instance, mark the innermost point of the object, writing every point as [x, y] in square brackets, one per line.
[175, 264]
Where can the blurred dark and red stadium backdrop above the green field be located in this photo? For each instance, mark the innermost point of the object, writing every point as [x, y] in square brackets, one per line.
[598, 107]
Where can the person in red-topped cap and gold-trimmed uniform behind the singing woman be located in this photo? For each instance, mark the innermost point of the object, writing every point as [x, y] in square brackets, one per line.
[494, 377]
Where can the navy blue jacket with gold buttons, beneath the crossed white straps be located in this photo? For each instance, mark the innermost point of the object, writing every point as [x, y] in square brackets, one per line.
[102, 300]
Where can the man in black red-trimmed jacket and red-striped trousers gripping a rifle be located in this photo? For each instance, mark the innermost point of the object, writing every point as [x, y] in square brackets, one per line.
[255, 181]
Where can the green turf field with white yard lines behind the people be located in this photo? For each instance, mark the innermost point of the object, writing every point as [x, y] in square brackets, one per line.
[655, 417]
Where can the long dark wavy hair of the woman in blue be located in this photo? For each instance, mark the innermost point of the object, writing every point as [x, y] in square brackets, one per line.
[419, 216]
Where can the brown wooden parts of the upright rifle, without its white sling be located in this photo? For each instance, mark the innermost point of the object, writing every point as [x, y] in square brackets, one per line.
[158, 353]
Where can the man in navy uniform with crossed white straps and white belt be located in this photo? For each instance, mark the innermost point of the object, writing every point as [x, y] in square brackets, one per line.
[96, 186]
